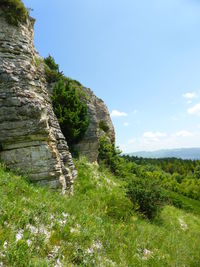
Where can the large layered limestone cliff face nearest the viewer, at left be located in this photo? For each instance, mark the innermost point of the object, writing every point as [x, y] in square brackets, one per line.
[30, 137]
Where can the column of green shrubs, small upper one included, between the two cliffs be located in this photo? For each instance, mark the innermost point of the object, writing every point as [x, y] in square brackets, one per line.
[71, 111]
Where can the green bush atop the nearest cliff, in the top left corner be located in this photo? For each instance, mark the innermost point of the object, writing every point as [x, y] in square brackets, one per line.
[14, 11]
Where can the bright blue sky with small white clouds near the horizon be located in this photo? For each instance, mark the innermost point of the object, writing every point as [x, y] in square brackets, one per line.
[142, 57]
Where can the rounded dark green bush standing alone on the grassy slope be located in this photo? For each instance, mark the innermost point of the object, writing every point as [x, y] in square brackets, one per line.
[146, 196]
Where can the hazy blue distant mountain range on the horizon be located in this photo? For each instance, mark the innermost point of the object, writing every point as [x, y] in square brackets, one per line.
[183, 153]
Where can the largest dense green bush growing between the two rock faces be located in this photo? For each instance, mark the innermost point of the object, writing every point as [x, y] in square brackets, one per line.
[71, 112]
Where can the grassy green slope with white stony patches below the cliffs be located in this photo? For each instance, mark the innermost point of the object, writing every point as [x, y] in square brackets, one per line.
[95, 227]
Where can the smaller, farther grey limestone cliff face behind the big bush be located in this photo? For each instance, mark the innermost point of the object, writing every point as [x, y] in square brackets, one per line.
[97, 111]
